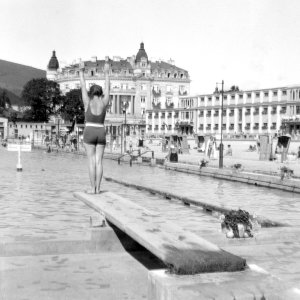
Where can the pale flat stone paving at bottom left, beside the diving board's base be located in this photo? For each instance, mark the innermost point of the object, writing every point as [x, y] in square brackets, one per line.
[107, 276]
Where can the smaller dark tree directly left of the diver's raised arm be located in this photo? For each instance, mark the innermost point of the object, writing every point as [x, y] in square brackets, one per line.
[73, 107]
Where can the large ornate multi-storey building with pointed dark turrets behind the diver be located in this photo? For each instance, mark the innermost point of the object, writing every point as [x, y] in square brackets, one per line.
[137, 85]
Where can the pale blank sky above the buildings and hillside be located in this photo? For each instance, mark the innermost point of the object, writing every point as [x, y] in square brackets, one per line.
[249, 43]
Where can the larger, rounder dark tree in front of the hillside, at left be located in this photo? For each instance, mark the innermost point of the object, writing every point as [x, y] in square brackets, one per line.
[43, 97]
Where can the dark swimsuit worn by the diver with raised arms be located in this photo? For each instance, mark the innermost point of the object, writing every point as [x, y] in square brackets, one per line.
[94, 135]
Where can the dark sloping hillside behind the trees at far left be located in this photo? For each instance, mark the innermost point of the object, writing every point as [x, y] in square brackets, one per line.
[14, 76]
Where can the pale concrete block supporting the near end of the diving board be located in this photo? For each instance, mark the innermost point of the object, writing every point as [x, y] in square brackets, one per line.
[247, 285]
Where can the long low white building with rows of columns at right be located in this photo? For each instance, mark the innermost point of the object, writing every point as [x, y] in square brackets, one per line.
[244, 112]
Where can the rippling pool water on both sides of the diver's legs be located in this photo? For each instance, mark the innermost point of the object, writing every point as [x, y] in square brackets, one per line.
[38, 203]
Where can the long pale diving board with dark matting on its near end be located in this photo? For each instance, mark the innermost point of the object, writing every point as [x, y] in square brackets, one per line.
[184, 252]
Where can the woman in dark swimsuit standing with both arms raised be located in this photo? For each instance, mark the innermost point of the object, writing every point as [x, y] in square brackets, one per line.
[94, 136]
